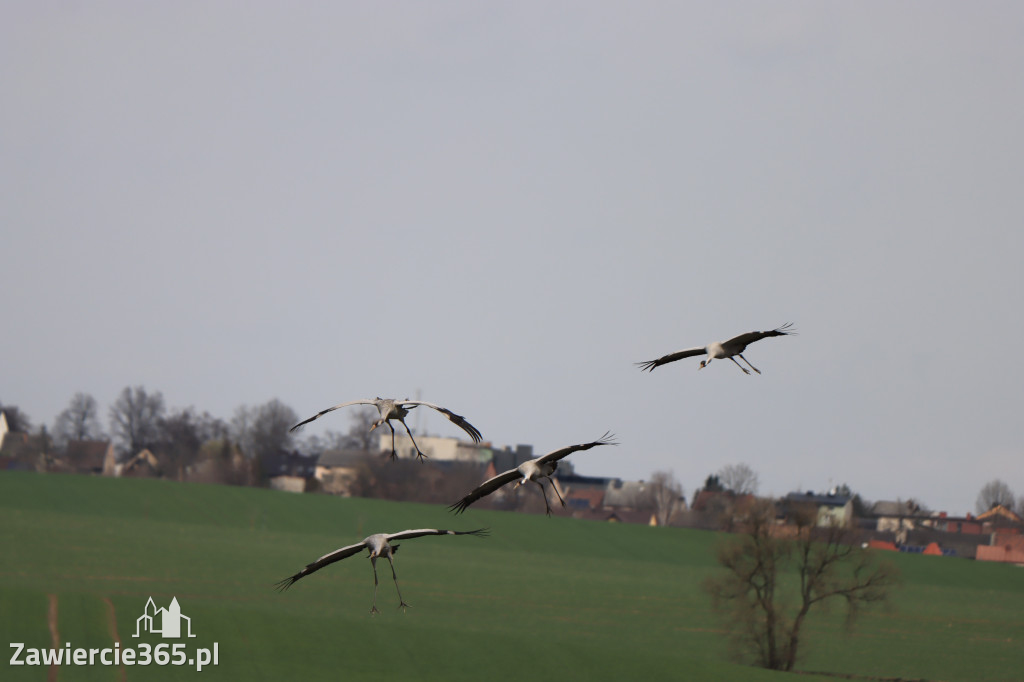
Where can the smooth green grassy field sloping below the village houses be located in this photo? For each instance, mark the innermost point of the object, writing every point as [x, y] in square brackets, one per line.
[540, 600]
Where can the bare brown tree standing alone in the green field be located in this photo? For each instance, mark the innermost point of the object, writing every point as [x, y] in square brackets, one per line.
[755, 592]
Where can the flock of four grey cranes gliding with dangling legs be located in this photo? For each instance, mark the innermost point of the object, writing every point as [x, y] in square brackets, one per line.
[536, 471]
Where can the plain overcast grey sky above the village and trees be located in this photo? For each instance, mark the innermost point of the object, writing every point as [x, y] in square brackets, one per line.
[504, 206]
